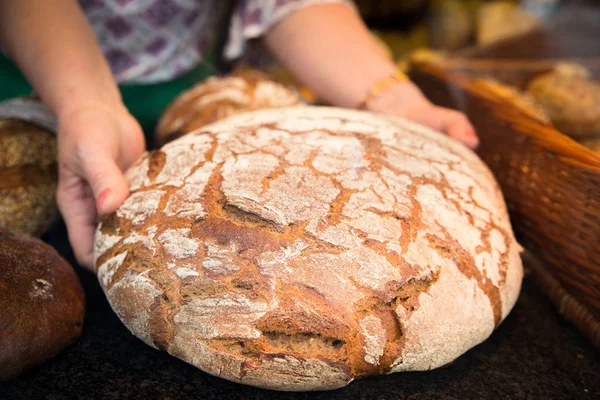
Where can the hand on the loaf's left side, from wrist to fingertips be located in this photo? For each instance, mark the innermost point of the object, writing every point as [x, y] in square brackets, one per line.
[95, 144]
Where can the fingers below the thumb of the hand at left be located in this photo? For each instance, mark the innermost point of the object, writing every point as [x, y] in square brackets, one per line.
[76, 204]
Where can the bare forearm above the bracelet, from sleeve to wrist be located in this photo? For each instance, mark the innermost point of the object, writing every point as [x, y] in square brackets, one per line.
[328, 48]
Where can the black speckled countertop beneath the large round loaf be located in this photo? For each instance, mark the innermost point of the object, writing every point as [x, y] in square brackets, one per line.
[534, 354]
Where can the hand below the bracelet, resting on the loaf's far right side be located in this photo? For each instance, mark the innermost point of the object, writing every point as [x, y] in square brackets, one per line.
[404, 99]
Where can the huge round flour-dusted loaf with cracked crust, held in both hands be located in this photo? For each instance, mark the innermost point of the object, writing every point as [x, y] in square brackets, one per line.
[300, 248]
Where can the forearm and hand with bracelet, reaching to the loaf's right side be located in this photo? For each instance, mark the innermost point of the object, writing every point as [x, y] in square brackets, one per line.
[329, 50]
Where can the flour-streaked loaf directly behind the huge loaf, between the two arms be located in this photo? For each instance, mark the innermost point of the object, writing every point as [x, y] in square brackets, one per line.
[220, 97]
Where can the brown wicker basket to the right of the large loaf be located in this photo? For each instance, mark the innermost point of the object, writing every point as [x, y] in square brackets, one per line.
[551, 184]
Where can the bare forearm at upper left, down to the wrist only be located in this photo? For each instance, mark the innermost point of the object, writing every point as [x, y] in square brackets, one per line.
[55, 48]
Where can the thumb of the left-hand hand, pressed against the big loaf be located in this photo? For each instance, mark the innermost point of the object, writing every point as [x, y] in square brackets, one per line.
[106, 180]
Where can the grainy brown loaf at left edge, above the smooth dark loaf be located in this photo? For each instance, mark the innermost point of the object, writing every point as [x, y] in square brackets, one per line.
[28, 177]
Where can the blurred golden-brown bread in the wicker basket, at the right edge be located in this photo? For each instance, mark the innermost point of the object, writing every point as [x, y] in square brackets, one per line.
[570, 99]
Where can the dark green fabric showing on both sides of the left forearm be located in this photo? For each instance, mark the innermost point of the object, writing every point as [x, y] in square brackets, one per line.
[146, 102]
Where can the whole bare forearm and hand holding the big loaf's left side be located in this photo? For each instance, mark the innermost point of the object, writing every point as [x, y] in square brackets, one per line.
[55, 47]
